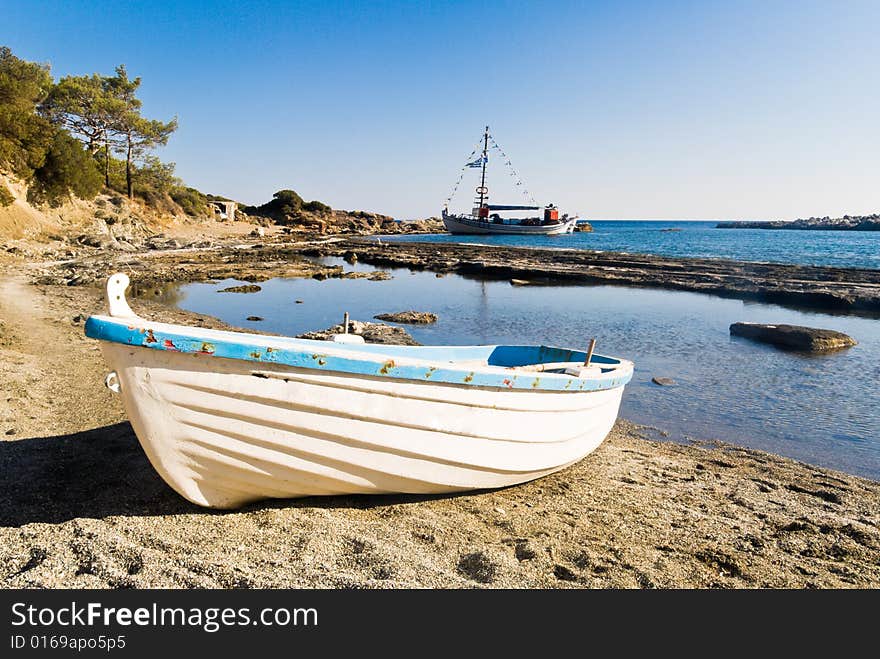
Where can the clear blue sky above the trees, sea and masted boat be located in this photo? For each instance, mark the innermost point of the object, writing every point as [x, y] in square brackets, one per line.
[748, 109]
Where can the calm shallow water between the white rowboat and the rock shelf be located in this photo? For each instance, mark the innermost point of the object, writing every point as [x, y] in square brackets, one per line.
[820, 409]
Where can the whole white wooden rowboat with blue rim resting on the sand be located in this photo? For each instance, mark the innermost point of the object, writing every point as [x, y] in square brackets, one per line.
[228, 418]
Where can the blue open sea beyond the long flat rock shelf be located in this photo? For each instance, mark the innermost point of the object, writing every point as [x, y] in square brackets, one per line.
[850, 249]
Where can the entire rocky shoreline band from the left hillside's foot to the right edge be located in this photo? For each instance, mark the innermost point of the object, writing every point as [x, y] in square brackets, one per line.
[257, 258]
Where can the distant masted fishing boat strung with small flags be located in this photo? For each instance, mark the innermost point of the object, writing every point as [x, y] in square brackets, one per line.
[486, 218]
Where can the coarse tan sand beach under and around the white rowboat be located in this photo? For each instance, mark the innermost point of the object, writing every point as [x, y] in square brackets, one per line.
[81, 507]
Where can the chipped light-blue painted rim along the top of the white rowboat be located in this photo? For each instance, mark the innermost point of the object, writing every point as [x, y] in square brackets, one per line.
[377, 359]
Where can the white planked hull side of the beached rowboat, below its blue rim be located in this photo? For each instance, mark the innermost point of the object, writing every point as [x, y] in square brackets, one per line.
[222, 437]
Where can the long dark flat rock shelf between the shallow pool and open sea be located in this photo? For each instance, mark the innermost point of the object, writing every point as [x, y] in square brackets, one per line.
[843, 289]
